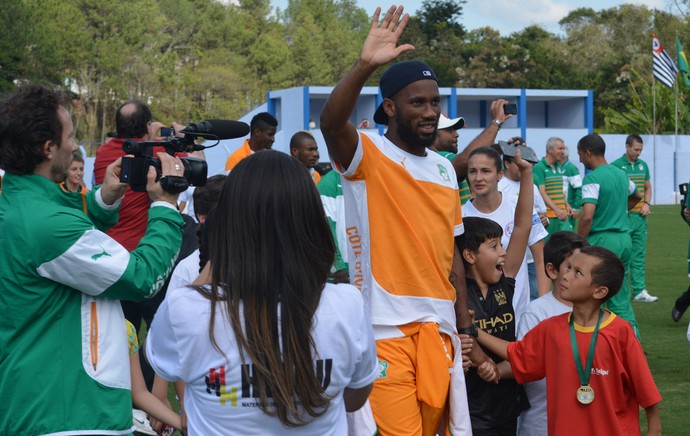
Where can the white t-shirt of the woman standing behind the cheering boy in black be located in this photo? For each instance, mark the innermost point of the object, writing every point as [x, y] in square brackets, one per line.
[504, 216]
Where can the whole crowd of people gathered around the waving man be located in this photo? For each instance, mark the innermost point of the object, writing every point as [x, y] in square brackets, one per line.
[415, 289]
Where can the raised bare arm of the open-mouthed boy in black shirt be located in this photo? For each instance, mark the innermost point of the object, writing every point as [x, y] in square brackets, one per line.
[523, 219]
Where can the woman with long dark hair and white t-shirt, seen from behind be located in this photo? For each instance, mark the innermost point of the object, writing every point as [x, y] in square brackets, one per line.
[267, 346]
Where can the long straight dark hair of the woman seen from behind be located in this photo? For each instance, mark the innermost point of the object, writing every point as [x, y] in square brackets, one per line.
[271, 251]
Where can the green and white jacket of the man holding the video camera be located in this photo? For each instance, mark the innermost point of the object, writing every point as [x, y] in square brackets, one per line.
[64, 364]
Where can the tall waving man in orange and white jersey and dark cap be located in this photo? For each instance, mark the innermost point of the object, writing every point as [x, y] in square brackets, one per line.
[403, 212]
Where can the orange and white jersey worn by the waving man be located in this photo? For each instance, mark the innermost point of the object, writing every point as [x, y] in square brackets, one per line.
[402, 213]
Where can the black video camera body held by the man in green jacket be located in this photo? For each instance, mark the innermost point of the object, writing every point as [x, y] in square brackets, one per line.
[135, 169]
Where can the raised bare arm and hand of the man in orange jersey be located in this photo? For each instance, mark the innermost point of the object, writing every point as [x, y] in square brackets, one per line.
[379, 48]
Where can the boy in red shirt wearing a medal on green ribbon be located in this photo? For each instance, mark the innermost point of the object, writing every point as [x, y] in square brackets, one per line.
[596, 372]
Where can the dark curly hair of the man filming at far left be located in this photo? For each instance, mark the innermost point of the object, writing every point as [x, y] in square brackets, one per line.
[28, 118]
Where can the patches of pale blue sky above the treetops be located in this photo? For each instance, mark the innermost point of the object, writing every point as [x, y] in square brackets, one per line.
[509, 16]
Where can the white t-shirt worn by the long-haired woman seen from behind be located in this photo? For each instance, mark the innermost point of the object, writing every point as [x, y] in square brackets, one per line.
[219, 400]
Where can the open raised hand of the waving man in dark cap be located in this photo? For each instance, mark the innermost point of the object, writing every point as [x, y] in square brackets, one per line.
[381, 47]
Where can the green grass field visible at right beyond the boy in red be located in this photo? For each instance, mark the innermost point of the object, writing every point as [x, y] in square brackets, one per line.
[664, 341]
